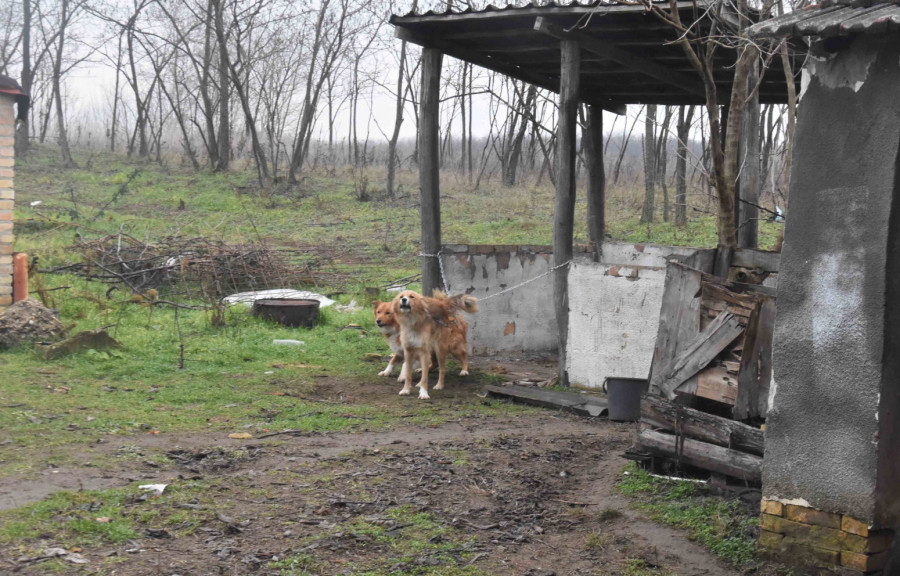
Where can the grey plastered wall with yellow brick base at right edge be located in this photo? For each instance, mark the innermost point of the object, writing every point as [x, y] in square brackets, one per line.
[831, 476]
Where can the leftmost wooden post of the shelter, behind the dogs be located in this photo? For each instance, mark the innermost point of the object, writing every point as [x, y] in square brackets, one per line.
[429, 167]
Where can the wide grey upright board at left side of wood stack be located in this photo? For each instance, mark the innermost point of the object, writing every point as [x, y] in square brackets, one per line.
[679, 318]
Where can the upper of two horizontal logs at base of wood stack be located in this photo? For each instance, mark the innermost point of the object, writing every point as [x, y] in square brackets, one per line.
[658, 412]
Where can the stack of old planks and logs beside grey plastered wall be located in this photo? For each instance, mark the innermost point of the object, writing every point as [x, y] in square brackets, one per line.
[712, 369]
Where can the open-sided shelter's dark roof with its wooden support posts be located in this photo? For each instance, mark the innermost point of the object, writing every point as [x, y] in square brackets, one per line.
[604, 54]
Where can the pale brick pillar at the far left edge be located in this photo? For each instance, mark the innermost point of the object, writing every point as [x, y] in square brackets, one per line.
[7, 148]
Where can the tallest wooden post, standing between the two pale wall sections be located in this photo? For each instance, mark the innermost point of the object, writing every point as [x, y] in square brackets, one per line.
[564, 207]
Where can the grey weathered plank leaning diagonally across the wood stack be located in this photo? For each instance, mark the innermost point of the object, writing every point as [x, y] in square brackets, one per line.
[699, 353]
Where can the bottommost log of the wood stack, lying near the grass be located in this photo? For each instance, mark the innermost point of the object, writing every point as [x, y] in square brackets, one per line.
[702, 455]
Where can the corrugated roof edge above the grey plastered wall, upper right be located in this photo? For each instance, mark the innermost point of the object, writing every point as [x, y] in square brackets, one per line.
[835, 18]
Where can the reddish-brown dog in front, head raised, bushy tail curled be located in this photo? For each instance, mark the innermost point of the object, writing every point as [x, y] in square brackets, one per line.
[431, 325]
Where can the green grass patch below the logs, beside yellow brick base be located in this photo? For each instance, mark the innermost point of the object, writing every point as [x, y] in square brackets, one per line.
[727, 527]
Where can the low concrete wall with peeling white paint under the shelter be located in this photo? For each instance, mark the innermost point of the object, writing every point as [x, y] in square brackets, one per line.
[614, 304]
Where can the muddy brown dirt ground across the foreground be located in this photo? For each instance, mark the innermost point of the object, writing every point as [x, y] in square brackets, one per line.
[528, 495]
